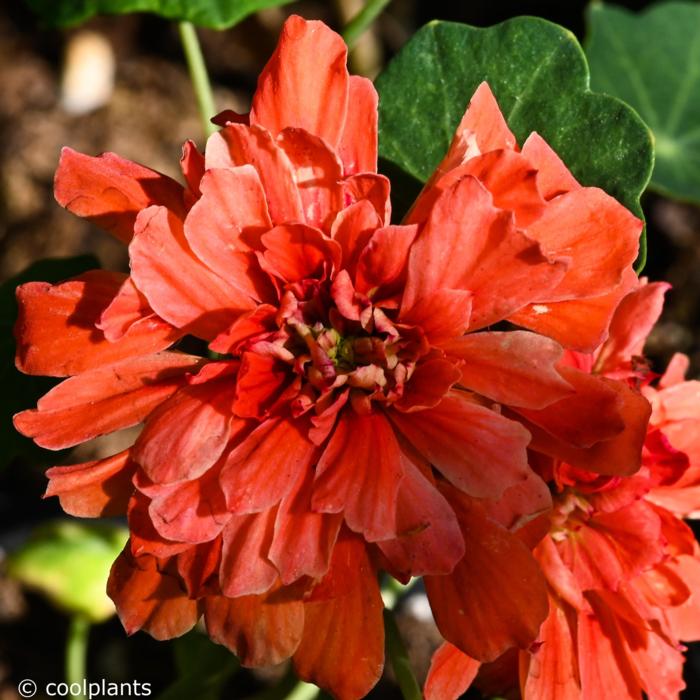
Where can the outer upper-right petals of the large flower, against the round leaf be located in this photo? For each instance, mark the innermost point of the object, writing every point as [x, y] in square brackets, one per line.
[552, 210]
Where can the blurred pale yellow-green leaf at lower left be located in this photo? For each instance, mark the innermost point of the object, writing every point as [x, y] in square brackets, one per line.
[69, 563]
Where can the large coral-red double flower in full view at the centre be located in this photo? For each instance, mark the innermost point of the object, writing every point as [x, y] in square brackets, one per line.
[321, 394]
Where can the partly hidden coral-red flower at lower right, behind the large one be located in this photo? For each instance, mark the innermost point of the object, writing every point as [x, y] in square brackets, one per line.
[622, 568]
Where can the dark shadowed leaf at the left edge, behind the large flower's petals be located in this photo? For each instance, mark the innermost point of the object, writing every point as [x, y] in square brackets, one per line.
[19, 390]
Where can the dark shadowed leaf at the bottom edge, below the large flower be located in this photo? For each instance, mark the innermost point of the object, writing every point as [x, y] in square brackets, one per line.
[203, 668]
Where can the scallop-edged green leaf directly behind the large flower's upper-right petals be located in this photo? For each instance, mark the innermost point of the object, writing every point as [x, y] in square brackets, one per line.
[538, 72]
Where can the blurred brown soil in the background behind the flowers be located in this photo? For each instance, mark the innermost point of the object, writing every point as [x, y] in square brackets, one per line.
[149, 113]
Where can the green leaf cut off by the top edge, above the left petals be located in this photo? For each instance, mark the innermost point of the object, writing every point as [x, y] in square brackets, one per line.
[216, 14]
